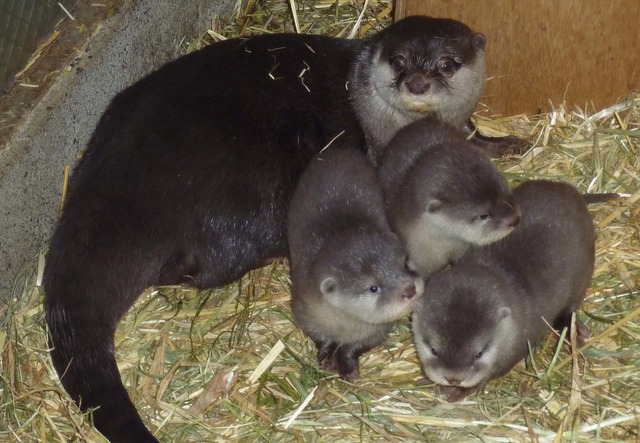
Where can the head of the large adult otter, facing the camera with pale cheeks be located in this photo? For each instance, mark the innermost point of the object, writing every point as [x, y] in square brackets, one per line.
[427, 66]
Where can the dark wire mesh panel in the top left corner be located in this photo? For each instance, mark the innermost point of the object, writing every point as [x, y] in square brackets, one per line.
[23, 25]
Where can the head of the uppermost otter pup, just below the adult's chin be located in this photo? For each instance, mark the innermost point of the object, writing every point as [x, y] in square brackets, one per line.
[463, 195]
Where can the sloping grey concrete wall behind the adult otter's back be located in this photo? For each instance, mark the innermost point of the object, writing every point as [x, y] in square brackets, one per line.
[139, 37]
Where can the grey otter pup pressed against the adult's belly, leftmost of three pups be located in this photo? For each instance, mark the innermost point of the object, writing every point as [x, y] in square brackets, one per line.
[348, 271]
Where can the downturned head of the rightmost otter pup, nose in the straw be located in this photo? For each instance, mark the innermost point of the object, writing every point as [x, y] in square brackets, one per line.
[462, 328]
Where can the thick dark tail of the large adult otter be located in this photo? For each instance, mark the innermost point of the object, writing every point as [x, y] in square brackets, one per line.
[82, 317]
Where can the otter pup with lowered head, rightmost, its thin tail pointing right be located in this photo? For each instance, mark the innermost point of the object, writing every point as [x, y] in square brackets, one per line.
[475, 320]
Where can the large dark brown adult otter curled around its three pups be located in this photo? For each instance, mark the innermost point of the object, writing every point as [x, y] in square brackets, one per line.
[188, 175]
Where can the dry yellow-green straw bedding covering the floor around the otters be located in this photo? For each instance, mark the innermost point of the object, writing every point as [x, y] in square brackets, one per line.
[197, 363]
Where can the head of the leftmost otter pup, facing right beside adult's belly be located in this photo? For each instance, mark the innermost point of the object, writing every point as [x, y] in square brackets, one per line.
[363, 273]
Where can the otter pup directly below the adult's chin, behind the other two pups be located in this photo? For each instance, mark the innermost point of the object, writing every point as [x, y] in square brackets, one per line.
[443, 195]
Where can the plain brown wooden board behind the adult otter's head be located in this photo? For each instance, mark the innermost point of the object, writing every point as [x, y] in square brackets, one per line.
[587, 51]
